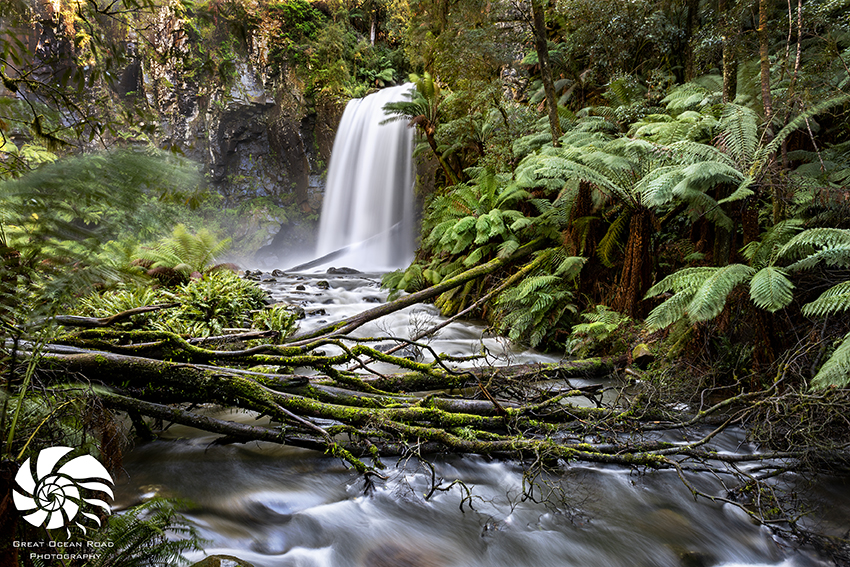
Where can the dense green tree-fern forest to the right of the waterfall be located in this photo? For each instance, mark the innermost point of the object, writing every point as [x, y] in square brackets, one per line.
[695, 186]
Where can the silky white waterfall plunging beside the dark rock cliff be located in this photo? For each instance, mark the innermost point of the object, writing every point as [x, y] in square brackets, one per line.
[368, 204]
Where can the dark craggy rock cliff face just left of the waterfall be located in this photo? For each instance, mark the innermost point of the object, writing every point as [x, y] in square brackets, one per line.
[255, 131]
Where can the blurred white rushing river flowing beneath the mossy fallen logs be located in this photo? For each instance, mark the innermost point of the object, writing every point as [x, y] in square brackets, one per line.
[279, 506]
